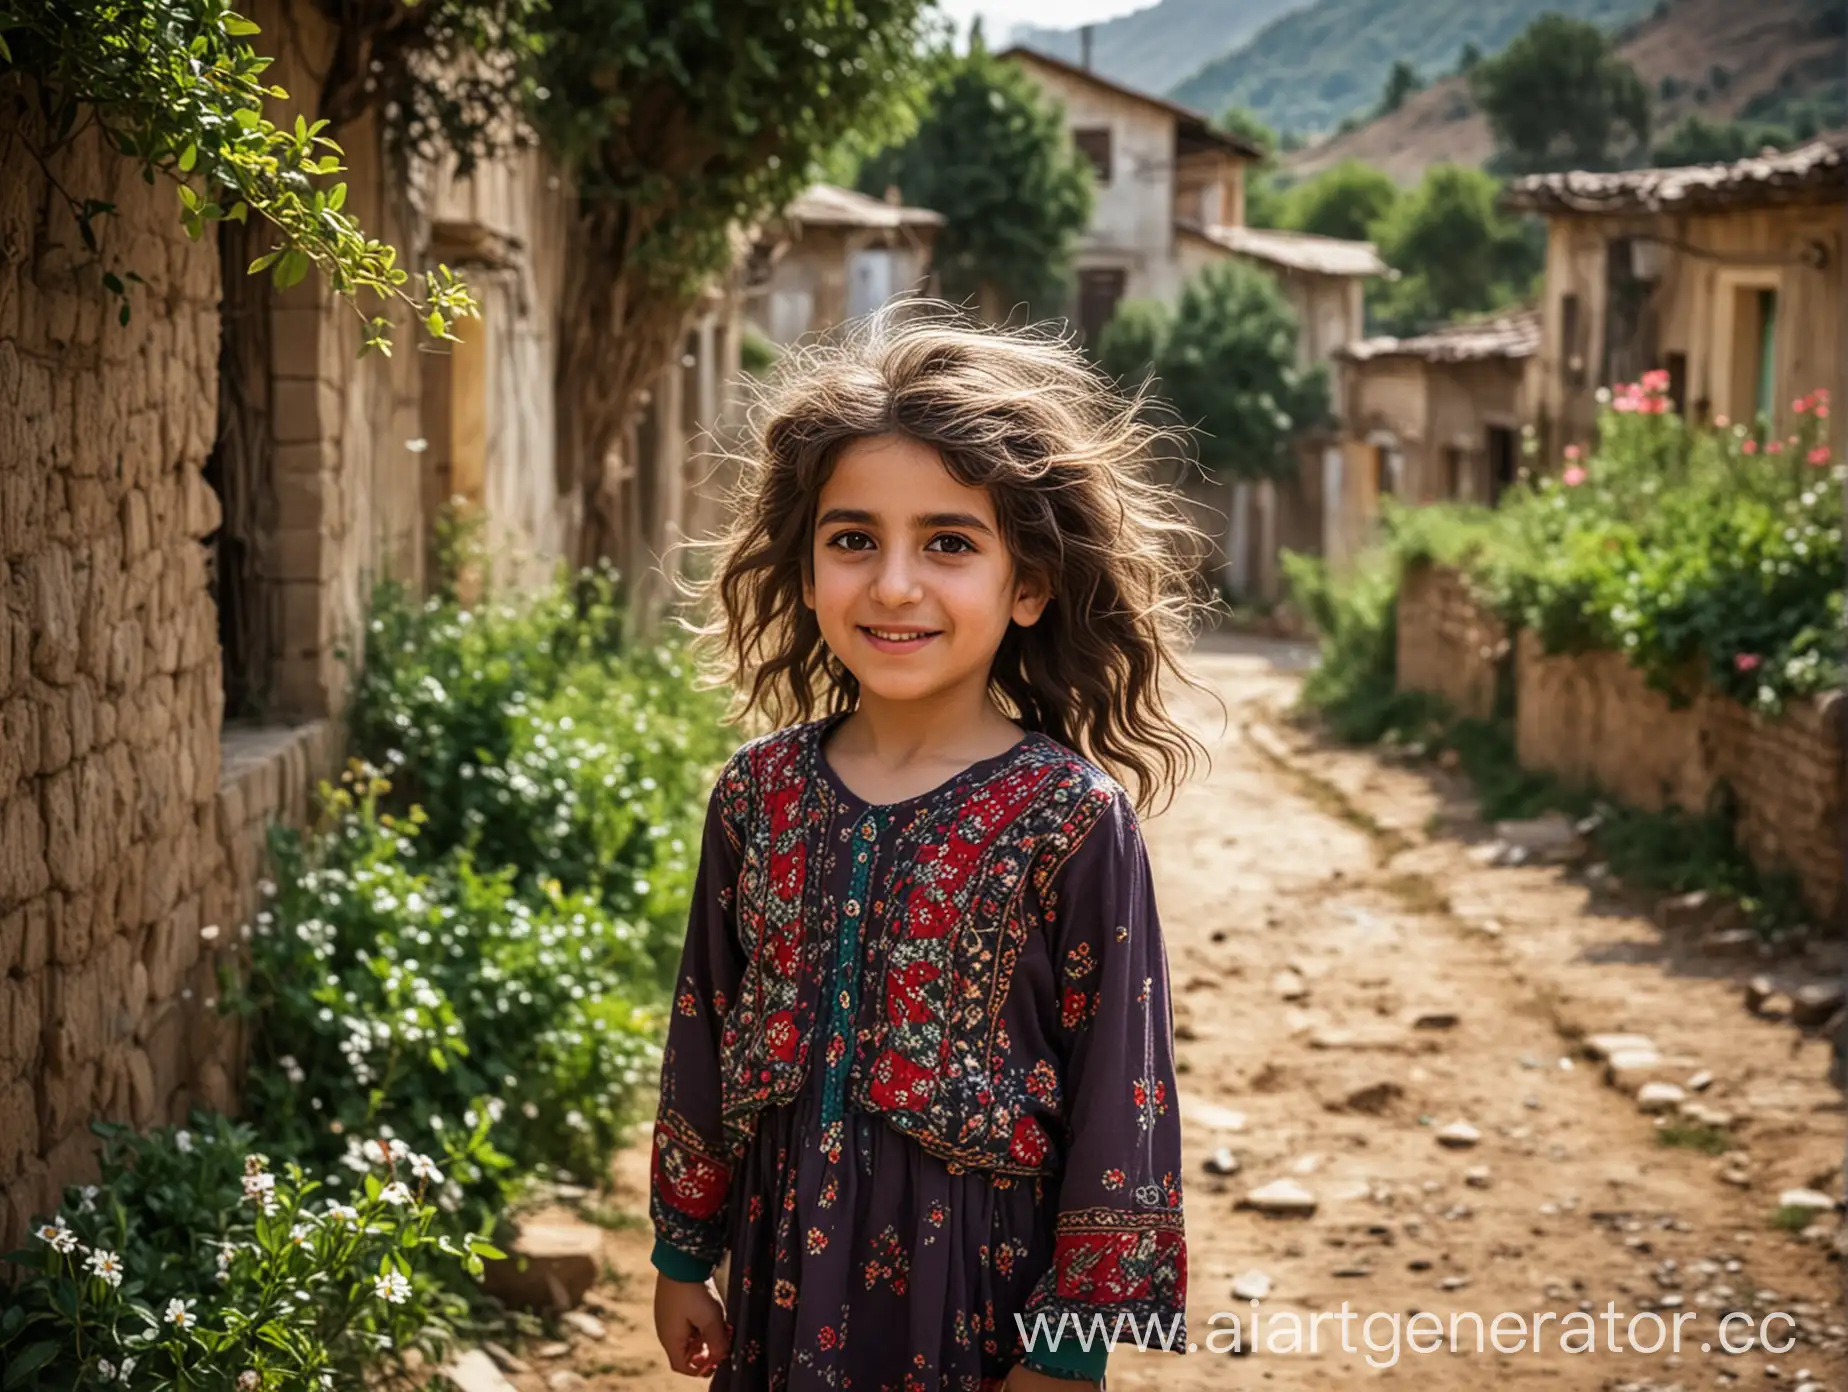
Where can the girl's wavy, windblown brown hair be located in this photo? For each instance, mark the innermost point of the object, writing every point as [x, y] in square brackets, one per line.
[1067, 461]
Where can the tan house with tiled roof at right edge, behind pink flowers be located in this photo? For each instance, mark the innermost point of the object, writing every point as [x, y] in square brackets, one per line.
[1725, 276]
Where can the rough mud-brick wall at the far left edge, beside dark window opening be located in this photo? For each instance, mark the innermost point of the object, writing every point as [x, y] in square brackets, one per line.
[123, 864]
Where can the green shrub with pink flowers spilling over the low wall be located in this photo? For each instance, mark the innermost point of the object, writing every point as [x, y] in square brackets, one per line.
[1712, 552]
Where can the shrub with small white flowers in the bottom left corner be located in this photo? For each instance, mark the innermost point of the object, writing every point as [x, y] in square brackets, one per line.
[197, 1265]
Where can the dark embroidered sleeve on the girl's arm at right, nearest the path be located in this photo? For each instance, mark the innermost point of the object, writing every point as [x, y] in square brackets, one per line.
[1119, 1243]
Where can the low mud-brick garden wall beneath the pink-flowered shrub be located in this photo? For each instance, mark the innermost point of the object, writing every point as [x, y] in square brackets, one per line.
[1592, 720]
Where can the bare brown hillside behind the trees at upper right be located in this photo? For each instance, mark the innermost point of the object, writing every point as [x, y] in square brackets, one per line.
[1771, 60]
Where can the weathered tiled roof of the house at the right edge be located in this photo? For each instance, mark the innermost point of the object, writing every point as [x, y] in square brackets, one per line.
[1816, 173]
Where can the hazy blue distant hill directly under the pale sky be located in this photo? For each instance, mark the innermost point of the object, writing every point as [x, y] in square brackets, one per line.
[1156, 47]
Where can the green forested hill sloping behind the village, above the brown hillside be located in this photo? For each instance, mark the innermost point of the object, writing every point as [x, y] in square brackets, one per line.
[1315, 67]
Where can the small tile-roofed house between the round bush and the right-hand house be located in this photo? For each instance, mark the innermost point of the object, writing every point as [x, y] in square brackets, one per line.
[1429, 419]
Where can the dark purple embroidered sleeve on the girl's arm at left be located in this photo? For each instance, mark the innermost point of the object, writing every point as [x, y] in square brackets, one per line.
[690, 1171]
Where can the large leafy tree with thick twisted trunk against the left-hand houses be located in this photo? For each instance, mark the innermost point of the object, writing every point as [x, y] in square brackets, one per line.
[681, 123]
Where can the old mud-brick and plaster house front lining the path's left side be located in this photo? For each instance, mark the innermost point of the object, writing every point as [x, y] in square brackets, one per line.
[193, 511]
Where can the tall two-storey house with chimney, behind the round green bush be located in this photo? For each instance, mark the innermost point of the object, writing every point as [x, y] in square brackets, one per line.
[1171, 201]
